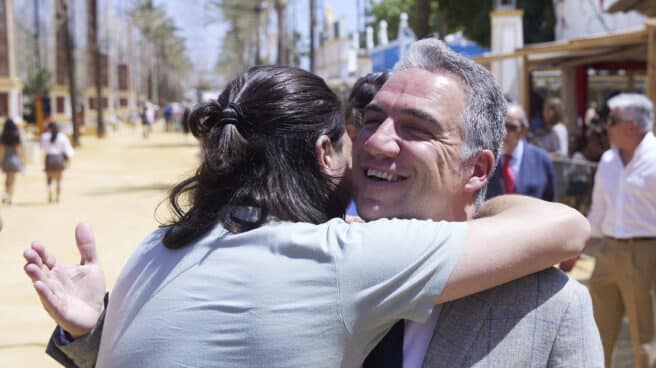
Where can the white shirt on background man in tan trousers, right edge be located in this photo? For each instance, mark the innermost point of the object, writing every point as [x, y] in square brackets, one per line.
[624, 197]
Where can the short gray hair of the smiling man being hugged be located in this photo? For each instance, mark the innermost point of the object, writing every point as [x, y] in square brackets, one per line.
[483, 119]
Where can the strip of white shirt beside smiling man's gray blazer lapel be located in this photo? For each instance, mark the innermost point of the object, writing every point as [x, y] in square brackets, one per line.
[417, 337]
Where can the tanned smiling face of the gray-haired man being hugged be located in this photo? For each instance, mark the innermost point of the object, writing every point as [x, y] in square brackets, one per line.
[407, 157]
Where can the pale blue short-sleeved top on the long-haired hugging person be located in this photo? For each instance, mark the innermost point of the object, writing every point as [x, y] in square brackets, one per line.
[282, 295]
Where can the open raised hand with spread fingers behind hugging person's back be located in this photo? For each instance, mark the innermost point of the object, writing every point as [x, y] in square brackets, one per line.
[71, 294]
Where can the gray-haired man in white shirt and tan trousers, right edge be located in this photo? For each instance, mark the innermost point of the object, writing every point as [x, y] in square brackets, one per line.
[623, 215]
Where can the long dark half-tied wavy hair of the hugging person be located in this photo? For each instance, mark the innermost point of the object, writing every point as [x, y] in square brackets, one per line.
[258, 153]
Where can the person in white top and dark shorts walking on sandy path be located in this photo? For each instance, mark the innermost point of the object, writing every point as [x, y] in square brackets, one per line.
[58, 150]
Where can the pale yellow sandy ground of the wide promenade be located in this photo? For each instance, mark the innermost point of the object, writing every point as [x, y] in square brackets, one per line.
[116, 184]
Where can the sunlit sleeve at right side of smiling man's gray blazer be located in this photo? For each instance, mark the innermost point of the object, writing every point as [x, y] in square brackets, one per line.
[577, 342]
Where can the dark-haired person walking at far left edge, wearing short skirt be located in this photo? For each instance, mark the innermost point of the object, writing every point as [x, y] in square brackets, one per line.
[13, 156]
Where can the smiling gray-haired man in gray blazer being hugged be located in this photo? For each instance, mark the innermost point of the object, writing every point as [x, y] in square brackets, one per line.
[430, 141]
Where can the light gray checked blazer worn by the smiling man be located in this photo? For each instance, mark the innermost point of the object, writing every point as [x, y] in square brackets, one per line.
[542, 320]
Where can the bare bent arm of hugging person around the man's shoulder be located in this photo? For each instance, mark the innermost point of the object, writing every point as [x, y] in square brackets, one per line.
[514, 236]
